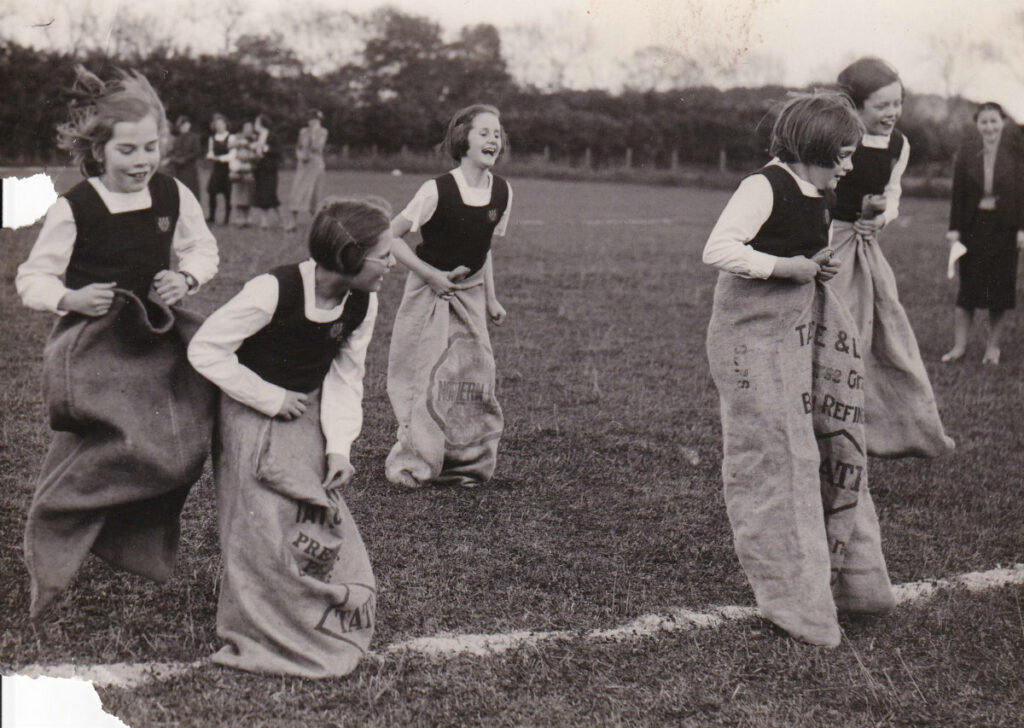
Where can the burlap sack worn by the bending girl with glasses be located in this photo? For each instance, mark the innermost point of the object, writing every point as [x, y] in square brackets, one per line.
[297, 593]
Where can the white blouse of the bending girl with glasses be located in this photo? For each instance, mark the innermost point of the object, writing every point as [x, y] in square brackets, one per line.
[212, 353]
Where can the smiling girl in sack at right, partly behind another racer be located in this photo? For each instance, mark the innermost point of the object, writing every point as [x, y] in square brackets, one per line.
[905, 418]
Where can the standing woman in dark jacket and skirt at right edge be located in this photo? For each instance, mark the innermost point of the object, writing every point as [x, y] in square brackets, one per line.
[987, 216]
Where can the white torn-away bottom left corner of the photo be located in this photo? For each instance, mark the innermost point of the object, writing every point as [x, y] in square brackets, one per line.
[54, 703]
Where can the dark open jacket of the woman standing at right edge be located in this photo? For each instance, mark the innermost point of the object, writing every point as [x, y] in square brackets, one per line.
[1008, 183]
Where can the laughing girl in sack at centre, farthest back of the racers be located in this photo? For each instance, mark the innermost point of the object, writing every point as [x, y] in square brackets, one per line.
[441, 366]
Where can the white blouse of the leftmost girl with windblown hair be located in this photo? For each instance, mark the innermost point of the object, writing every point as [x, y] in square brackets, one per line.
[39, 279]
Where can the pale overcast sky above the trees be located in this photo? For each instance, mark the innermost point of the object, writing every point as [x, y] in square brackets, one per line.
[809, 40]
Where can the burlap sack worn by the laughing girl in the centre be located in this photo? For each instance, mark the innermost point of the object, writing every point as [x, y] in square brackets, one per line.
[442, 387]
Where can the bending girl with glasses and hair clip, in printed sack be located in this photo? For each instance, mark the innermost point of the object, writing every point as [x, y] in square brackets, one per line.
[297, 592]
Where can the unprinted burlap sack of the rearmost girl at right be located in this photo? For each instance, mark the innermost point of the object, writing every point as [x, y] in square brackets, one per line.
[905, 419]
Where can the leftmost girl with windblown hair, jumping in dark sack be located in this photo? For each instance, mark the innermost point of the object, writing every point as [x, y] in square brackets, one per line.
[133, 421]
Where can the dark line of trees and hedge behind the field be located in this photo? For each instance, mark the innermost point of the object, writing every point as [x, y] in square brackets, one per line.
[400, 91]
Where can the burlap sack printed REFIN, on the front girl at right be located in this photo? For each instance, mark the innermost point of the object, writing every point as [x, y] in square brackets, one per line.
[790, 373]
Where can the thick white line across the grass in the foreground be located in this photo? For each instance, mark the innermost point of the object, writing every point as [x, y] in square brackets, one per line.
[133, 674]
